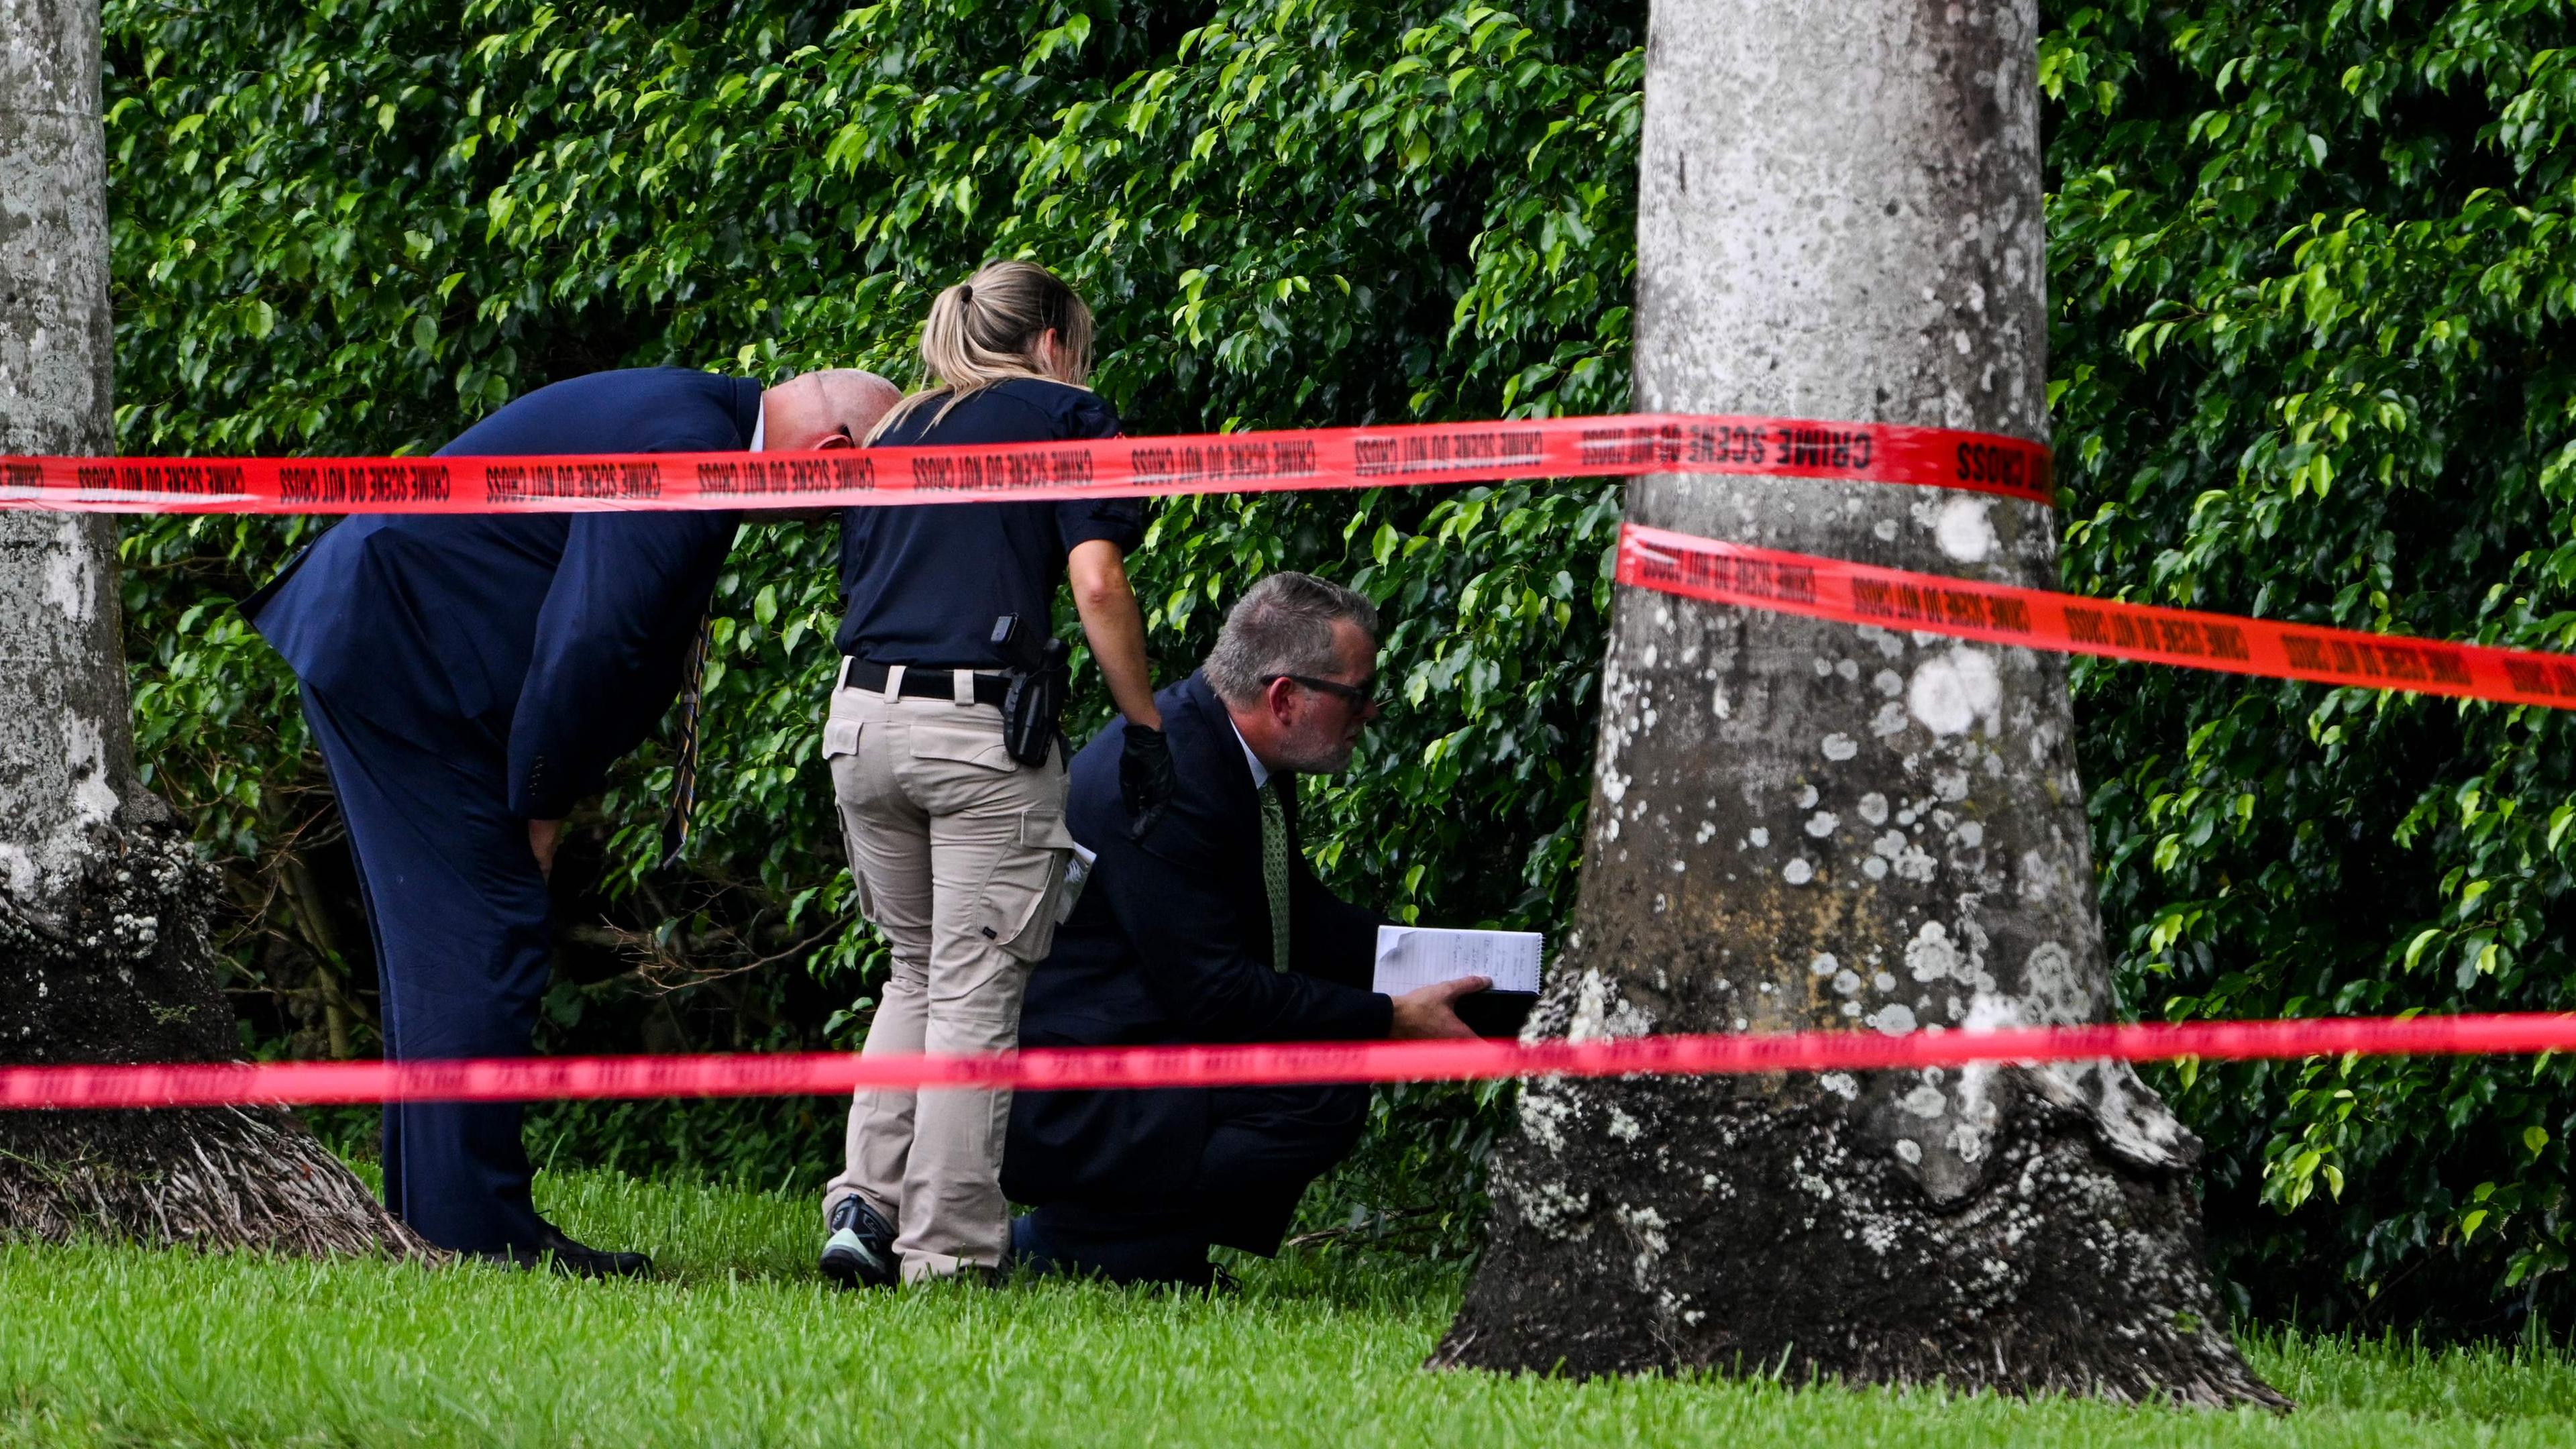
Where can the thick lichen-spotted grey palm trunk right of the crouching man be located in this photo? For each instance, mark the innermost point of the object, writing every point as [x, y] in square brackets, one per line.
[1815, 826]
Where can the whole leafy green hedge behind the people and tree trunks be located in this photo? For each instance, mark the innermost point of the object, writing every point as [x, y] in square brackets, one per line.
[2312, 287]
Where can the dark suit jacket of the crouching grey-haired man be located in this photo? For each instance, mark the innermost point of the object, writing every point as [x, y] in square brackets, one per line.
[1171, 942]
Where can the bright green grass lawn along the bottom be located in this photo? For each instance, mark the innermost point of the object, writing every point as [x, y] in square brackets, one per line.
[741, 1345]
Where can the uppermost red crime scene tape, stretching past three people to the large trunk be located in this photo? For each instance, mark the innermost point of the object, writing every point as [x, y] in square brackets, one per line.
[1034, 473]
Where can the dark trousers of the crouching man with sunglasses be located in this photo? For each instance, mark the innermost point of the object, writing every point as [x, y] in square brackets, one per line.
[1264, 1149]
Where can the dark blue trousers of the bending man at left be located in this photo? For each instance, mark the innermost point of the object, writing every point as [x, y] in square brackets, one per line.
[462, 955]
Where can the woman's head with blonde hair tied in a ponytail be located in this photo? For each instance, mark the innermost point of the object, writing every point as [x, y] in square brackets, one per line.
[990, 329]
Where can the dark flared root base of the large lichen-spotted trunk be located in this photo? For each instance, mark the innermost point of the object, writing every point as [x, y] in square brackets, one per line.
[1714, 1229]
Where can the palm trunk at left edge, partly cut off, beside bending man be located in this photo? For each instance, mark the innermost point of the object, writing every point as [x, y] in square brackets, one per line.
[104, 948]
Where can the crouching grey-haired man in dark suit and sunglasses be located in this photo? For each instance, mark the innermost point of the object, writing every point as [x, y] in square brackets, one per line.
[1204, 924]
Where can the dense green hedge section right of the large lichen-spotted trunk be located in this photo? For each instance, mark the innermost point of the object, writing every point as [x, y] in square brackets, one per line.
[2315, 277]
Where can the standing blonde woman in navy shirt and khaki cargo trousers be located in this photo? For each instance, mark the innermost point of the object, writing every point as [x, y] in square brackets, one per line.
[960, 847]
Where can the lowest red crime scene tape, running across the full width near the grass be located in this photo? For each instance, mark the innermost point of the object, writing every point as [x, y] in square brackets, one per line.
[1294, 1064]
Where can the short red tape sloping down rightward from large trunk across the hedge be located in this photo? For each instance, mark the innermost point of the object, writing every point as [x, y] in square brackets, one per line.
[2044, 620]
